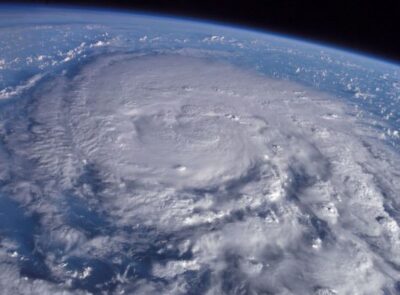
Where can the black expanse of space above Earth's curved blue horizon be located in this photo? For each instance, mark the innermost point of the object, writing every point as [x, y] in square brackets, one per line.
[367, 26]
